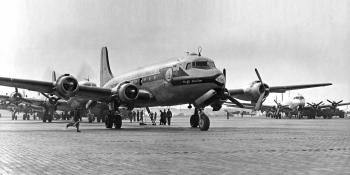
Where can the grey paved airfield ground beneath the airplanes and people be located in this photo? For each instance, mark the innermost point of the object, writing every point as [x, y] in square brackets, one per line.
[249, 145]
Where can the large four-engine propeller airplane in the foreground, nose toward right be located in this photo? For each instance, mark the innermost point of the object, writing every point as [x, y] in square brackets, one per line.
[192, 79]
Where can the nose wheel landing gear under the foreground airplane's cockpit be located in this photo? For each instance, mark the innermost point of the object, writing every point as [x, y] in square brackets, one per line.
[199, 118]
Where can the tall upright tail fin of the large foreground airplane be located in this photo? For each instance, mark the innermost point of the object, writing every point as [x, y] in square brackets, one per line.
[105, 70]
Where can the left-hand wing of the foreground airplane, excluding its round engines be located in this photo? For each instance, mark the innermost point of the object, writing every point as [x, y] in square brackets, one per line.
[87, 92]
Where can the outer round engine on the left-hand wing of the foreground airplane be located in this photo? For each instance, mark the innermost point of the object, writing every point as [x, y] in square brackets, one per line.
[66, 86]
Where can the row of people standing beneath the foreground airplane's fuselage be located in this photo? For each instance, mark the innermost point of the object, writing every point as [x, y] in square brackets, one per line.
[138, 116]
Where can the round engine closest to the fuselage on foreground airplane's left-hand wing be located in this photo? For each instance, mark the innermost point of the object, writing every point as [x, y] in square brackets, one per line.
[125, 92]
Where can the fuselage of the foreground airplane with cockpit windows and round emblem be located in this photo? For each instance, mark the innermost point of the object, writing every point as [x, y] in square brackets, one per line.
[173, 83]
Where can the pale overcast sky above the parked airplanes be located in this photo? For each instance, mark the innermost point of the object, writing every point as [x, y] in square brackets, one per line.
[289, 41]
